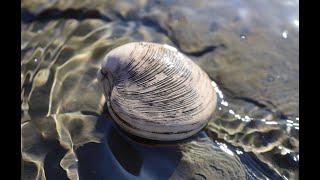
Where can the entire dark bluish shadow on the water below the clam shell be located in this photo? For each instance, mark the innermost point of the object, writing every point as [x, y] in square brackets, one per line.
[118, 156]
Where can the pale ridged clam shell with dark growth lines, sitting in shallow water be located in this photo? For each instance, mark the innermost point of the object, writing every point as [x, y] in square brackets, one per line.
[155, 92]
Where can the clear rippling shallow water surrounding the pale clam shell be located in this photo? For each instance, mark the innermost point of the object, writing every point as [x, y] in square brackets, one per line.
[250, 49]
